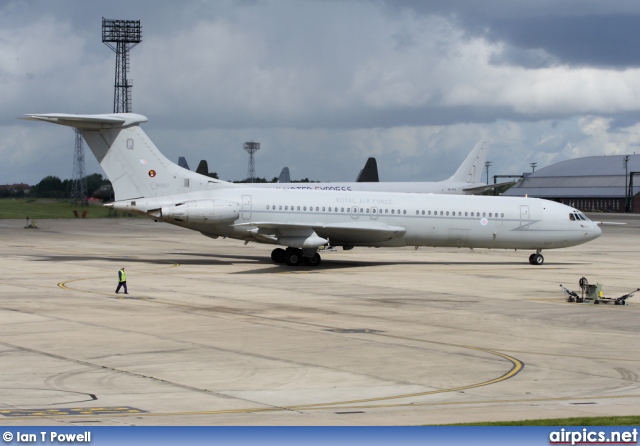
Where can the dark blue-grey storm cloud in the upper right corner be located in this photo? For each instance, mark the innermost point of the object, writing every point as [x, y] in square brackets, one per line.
[543, 33]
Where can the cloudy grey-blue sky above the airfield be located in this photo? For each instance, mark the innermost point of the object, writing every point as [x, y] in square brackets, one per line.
[323, 85]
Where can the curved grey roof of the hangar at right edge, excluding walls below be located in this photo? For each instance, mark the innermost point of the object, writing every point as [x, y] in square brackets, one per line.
[592, 176]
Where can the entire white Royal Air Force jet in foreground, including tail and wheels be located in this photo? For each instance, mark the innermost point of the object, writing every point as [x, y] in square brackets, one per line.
[147, 183]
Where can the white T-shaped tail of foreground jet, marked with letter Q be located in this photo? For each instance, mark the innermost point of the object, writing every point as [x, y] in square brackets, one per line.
[133, 164]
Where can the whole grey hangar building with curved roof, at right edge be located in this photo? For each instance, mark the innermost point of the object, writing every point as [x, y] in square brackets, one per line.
[593, 183]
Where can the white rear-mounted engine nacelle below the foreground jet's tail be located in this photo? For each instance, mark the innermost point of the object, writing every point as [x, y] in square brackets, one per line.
[202, 211]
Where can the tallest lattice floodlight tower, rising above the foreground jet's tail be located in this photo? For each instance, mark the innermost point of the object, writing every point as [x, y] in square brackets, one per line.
[125, 34]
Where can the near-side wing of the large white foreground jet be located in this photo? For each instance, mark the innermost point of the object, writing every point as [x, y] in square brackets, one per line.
[351, 233]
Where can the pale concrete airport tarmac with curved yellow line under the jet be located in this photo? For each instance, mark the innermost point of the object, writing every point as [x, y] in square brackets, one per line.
[213, 333]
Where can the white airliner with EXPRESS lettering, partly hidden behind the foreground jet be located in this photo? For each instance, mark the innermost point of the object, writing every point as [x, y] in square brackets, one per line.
[466, 180]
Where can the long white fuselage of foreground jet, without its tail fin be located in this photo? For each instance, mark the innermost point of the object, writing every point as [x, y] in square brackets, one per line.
[422, 220]
